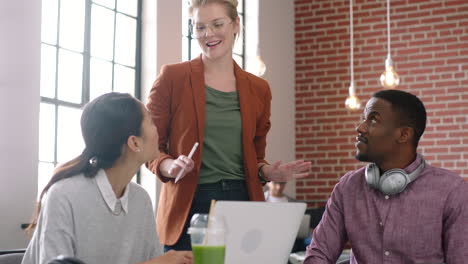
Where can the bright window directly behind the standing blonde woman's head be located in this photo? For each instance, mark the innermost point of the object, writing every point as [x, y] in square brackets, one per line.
[190, 48]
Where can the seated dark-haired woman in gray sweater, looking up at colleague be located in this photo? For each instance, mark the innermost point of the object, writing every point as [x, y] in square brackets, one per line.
[92, 210]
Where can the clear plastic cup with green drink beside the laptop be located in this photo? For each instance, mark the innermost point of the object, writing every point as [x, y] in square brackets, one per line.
[208, 239]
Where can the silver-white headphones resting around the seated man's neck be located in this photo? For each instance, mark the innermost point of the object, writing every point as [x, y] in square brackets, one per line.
[392, 181]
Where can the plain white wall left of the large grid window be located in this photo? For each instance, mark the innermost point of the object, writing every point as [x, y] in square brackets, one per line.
[20, 22]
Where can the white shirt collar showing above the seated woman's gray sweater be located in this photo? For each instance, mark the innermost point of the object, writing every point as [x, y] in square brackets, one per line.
[115, 205]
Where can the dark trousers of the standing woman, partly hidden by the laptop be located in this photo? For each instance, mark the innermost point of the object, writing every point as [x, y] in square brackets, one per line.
[224, 190]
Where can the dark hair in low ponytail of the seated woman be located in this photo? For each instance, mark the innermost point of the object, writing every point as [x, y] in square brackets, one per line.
[106, 124]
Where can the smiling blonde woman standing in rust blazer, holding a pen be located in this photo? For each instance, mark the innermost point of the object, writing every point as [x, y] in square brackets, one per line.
[211, 100]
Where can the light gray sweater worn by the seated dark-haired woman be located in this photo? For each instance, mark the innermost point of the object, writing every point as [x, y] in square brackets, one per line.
[76, 221]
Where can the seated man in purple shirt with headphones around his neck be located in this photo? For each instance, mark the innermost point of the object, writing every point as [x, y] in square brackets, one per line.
[398, 209]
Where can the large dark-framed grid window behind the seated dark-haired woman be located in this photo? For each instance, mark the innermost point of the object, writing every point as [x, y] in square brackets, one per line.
[89, 47]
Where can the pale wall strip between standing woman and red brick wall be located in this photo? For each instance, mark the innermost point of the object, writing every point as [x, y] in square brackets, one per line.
[276, 42]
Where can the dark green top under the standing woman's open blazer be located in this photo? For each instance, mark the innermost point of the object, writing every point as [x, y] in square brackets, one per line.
[222, 145]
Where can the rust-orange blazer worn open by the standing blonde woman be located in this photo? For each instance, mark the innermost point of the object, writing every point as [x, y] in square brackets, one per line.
[177, 106]
